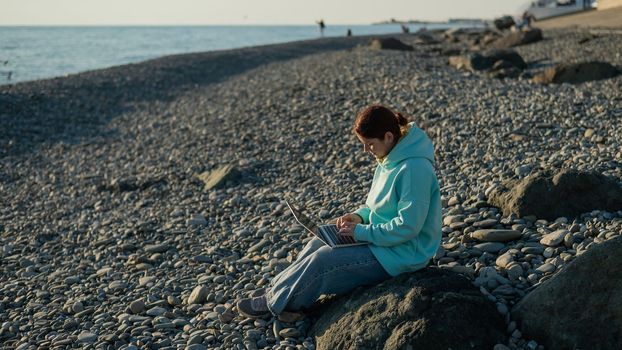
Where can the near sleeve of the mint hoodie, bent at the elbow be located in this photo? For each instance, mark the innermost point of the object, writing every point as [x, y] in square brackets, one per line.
[414, 187]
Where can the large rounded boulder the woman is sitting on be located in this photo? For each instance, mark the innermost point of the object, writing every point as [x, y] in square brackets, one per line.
[428, 309]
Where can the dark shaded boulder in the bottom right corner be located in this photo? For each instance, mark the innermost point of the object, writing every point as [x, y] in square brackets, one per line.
[581, 306]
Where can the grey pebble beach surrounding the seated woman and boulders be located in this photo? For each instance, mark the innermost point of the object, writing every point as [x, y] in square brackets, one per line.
[109, 240]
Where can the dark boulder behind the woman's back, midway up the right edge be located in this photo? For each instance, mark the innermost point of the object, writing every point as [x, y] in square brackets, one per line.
[567, 193]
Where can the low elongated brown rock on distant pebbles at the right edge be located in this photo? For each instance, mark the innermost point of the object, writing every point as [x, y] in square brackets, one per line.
[577, 73]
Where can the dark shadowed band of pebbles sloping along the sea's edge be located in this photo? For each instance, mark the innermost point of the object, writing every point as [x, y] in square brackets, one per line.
[115, 88]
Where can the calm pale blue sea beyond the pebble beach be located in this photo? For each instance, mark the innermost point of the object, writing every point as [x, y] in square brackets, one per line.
[29, 53]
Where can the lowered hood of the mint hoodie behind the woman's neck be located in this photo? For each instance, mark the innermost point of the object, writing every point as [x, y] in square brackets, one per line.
[414, 144]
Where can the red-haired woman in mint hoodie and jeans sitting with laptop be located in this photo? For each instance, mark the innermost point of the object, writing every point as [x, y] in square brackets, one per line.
[400, 221]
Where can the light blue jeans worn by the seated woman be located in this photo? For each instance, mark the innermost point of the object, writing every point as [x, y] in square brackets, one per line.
[318, 270]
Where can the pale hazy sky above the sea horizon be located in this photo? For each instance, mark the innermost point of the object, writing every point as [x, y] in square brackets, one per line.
[201, 12]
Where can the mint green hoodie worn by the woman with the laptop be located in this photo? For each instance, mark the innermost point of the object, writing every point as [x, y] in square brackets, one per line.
[402, 213]
